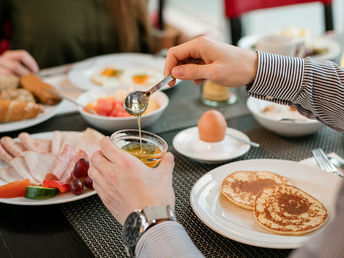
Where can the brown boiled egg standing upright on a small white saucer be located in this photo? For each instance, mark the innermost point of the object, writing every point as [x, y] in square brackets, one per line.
[212, 126]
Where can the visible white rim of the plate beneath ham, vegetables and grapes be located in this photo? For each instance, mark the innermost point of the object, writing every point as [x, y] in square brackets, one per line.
[60, 198]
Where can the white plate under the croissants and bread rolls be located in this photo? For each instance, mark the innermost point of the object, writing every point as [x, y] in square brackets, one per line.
[49, 111]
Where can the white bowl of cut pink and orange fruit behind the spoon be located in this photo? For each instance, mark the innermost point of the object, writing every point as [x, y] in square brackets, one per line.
[108, 112]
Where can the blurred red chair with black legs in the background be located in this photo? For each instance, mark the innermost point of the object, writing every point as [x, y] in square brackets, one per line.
[235, 9]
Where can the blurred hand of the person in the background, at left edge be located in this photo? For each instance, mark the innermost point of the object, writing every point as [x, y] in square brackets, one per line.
[17, 62]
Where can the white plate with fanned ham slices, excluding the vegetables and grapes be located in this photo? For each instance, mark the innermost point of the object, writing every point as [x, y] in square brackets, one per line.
[42, 156]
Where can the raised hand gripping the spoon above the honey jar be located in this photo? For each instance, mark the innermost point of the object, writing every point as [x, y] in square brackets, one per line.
[225, 64]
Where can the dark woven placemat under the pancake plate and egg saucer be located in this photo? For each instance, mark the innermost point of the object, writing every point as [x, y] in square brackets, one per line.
[101, 232]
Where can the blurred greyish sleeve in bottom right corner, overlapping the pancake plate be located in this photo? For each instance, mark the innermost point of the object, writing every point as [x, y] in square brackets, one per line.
[329, 241]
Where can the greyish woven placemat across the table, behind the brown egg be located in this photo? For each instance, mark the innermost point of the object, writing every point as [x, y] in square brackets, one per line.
[186, 108]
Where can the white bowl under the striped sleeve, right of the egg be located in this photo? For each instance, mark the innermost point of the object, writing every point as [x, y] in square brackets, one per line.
[285, 128]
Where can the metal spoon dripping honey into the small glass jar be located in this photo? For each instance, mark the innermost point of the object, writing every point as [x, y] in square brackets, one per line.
[137, 101]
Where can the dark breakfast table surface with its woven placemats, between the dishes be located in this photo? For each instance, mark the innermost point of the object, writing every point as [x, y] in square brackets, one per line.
[85, 228]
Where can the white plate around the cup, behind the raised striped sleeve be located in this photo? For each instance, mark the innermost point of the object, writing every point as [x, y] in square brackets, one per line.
[334, 48]
